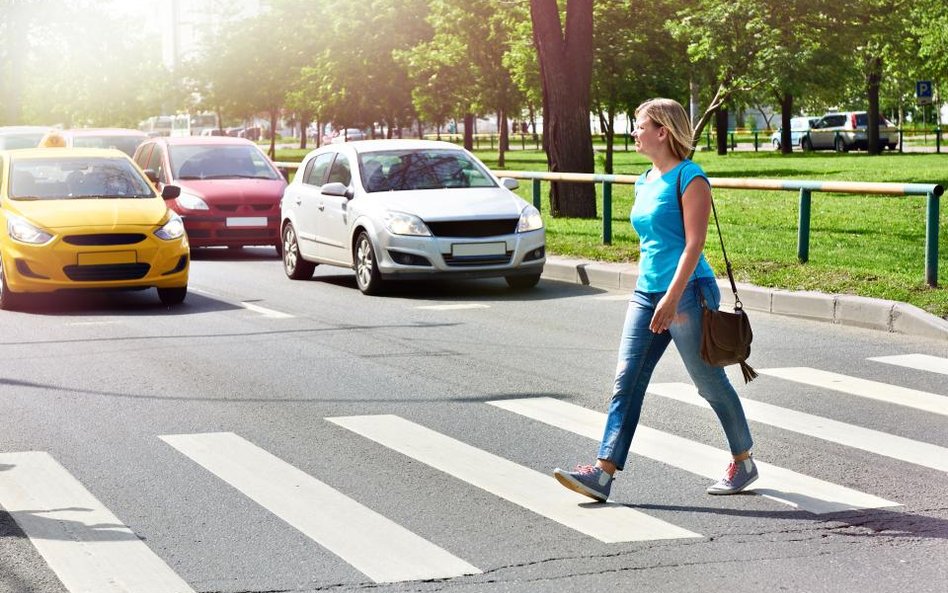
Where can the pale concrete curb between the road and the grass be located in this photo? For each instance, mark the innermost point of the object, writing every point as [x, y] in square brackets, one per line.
[843, 309]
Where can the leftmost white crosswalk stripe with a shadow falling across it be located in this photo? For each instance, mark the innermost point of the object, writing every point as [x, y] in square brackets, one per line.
[88, 547]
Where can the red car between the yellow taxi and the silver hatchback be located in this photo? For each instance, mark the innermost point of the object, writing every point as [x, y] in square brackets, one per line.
[230, 190]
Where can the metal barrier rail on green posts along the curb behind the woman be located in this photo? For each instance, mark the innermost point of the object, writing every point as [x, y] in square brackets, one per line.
[806, 189]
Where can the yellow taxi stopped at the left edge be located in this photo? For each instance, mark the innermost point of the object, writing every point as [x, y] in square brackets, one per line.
[86, 219]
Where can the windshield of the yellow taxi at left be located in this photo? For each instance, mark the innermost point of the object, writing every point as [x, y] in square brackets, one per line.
[76, 177]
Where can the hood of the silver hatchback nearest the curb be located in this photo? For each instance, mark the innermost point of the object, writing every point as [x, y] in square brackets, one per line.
[451, 204]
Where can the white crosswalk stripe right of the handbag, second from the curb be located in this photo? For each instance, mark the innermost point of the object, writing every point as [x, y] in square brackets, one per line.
[893, 394]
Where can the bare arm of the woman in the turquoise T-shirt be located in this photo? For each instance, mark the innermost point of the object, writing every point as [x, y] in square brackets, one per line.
[696, 208]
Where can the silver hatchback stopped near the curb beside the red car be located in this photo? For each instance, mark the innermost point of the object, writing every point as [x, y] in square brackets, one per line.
[408, 209]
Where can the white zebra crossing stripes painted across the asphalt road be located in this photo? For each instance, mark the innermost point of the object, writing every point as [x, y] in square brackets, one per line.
[90, 549]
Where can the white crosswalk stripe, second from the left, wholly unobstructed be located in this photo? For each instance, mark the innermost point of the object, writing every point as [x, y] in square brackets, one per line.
[379, 548]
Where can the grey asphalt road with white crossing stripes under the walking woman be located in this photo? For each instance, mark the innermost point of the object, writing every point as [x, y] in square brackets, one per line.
[273, 435]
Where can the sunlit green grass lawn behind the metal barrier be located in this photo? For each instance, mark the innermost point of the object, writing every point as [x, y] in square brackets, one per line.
[871, 246]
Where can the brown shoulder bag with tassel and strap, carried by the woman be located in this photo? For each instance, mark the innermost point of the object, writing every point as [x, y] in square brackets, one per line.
[725, 337]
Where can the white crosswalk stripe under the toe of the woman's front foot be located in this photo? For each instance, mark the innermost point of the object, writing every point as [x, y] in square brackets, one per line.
[520, 485]
